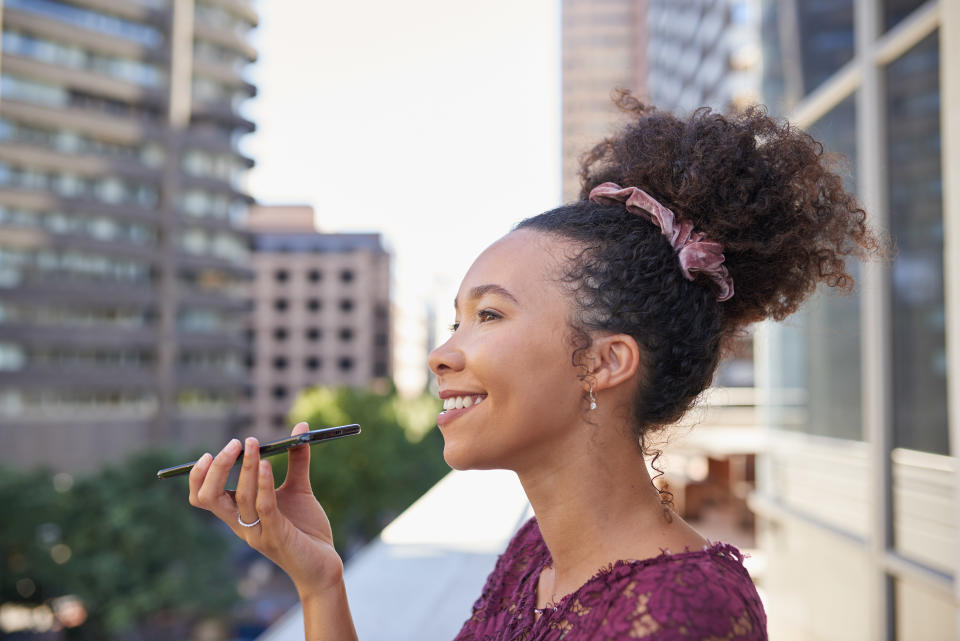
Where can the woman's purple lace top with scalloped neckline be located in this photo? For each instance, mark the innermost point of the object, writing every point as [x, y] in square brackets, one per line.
[704, 594]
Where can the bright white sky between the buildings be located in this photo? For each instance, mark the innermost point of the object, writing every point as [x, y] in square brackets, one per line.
[435, 122]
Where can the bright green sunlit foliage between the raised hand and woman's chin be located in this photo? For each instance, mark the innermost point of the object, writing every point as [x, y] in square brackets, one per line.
[364, 481]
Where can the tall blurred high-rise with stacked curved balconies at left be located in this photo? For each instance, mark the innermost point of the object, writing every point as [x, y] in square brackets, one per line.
[122, 260]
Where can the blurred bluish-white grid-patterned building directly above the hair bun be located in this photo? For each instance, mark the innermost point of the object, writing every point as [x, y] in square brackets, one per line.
[703, 53]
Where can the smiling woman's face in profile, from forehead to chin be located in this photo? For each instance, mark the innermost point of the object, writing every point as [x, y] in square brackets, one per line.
[511, 352]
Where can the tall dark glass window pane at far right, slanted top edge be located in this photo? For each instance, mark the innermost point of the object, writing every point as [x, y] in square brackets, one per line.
[916, 223]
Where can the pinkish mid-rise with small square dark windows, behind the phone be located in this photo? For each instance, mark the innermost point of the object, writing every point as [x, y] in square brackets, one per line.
[320, 312]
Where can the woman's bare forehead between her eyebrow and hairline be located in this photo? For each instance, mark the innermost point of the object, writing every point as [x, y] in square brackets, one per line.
[525, 262]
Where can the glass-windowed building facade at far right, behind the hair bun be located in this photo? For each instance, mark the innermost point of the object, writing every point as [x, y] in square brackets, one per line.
[857, 498]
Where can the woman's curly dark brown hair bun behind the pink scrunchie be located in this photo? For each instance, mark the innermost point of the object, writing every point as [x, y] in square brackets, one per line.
[763, 189]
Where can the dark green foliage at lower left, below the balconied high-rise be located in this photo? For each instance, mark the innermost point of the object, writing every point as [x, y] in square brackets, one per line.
[136, 549]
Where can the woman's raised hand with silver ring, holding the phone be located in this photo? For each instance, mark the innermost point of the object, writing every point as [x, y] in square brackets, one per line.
[293, 531]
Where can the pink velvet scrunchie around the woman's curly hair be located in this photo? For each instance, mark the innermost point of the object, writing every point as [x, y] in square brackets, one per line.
[695, 253]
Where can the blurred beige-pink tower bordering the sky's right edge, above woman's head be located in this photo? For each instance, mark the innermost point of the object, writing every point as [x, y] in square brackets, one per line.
[602, 48]
